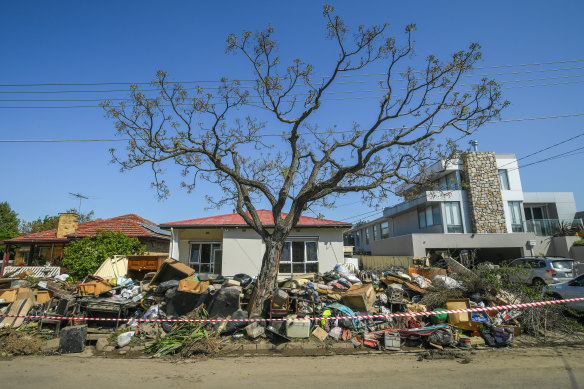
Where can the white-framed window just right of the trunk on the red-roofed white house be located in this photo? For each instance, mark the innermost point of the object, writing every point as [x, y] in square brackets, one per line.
[299, 257]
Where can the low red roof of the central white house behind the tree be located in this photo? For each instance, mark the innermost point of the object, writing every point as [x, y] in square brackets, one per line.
[266, 217]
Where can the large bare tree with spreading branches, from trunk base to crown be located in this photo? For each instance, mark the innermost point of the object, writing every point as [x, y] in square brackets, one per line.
[209, 136]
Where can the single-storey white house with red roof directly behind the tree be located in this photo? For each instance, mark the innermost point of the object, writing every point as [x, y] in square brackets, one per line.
[226, 245]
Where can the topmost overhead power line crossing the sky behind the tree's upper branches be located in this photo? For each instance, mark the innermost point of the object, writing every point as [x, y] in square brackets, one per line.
[253, 80]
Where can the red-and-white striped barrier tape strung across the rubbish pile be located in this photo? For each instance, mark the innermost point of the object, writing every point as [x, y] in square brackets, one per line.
[375, 316]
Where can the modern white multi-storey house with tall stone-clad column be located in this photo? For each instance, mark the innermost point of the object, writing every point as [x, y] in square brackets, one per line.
[475, 202]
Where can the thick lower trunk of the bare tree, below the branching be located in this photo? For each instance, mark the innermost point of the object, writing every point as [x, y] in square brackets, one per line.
[267, 280]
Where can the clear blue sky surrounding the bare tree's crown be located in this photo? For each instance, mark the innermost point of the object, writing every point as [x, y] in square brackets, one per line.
[111, 41]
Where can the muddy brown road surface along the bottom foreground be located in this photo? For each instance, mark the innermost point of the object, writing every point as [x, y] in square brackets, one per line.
[559, 367]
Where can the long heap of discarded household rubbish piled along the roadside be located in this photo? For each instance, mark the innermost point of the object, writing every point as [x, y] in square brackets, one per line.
[175, 291]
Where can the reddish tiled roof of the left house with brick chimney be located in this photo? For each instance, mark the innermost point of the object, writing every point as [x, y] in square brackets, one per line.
[128, 224]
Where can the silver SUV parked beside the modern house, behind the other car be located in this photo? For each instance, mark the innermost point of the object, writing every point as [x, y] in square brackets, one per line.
[545, 270]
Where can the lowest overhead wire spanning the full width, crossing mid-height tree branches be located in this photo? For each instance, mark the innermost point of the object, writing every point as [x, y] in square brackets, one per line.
[283, 133]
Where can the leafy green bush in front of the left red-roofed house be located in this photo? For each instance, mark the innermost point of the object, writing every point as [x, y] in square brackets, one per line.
[85, 256]
